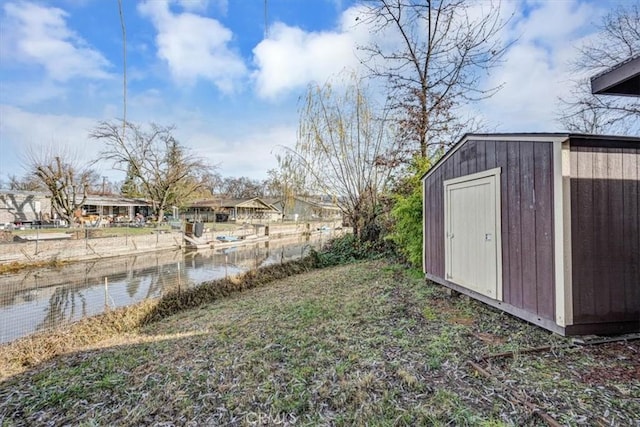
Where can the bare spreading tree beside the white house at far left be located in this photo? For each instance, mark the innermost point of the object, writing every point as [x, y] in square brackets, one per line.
[67, 180]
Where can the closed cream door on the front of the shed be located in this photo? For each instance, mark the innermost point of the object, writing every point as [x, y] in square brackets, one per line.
[472, 235]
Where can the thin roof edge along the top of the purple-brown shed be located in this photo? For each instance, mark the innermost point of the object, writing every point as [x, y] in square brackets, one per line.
[526, 136]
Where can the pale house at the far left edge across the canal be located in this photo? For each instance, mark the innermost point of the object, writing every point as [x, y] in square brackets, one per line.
[24, 207]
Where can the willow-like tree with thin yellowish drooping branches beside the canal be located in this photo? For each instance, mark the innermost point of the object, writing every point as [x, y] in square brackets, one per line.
[343, 149]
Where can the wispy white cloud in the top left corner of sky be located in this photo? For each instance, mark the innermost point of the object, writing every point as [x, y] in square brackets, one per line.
[39, 35]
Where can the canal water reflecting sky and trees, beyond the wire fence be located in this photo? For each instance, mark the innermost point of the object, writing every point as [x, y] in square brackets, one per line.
[37, 301]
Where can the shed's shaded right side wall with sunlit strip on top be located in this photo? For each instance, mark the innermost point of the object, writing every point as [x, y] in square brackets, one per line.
[605, 229]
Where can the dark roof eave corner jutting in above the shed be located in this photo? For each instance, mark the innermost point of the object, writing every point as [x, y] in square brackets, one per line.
[622, 79]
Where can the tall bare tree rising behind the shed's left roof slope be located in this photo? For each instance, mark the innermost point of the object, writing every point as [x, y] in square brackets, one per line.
[436, 64]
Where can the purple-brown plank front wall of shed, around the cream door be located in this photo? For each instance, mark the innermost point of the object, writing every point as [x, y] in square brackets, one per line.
[526, 185]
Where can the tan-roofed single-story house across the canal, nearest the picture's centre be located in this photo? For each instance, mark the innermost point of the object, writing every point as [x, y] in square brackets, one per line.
[240, 210]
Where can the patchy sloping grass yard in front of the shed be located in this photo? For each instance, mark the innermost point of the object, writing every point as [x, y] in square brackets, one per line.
[361, 344]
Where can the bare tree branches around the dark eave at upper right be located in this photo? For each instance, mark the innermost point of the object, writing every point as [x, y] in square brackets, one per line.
[618, 40]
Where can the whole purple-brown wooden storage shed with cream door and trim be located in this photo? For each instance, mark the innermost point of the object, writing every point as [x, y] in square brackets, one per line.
[544, 226]
